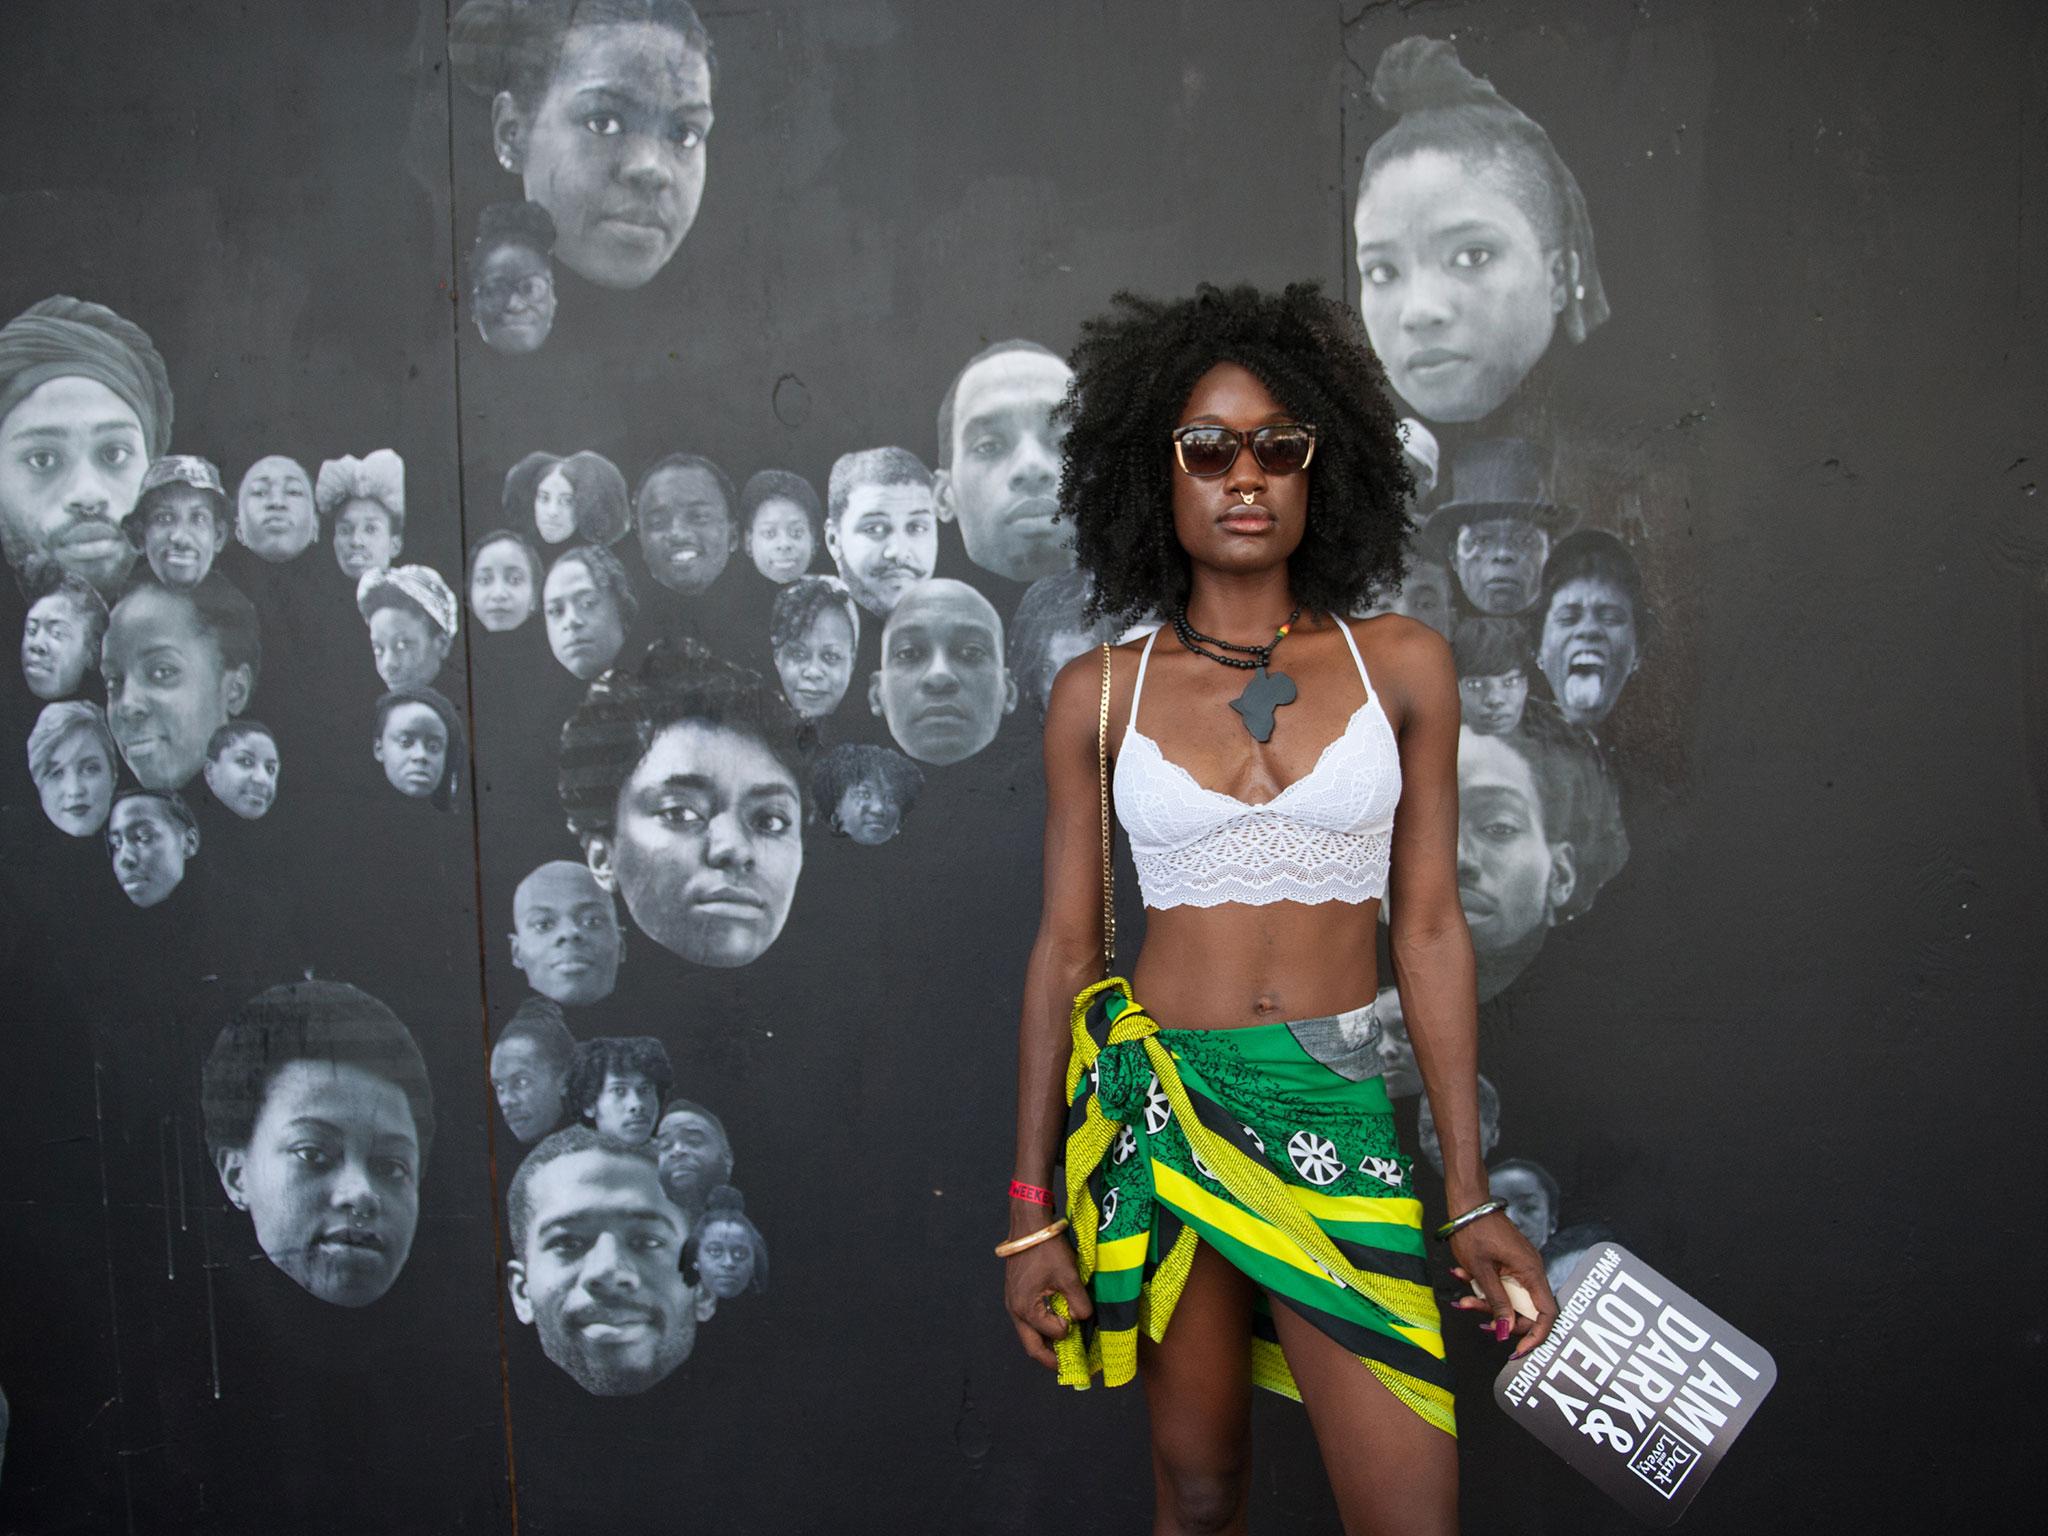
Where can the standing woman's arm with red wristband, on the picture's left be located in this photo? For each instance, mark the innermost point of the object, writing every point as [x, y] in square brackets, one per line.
[1064, 959]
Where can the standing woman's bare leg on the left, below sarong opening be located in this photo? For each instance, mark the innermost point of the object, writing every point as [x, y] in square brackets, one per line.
[1199, 1394]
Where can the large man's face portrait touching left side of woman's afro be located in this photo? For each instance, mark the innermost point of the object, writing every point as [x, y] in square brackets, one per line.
[998, 460]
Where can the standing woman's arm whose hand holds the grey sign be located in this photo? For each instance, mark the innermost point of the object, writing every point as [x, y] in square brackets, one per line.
[1437, 974]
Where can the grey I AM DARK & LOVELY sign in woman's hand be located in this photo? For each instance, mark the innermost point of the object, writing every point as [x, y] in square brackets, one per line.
[1639, 1388]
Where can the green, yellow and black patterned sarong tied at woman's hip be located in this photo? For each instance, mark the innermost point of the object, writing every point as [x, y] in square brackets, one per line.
[1246, 1142]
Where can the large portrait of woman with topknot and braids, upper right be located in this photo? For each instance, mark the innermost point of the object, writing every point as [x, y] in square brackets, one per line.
[1474, 241]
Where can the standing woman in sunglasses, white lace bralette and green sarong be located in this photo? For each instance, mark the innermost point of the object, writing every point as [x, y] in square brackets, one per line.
[1234, 464]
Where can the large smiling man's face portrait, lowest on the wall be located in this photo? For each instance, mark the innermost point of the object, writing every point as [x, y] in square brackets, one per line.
[597, 1263]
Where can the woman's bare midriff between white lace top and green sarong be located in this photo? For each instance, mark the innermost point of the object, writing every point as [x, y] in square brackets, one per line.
[1234, 966]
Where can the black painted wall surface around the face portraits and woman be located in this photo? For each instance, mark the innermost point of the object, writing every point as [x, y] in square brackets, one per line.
[1787, 1056]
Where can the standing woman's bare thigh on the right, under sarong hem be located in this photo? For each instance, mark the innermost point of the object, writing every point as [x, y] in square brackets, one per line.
[1394, 1474]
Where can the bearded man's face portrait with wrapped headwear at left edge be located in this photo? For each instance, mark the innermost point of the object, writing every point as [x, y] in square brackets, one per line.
[85, 407]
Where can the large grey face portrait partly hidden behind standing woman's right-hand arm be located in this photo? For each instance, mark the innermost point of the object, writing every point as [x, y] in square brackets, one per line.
[1539, 835]
